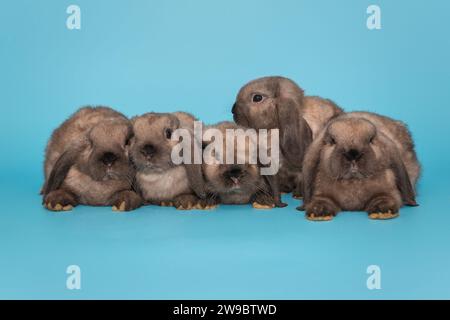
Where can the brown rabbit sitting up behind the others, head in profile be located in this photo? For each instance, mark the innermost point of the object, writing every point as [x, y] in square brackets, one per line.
[277, 102]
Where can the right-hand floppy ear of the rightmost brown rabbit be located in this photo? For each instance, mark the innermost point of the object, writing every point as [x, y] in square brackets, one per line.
[403, 181]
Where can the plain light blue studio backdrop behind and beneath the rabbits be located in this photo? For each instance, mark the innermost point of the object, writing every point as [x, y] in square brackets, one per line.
[140, 56]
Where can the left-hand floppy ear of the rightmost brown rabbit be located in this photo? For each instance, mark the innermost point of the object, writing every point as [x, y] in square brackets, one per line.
[310, 166]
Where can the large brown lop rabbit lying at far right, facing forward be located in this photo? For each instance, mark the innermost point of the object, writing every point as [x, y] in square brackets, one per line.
[360, 161]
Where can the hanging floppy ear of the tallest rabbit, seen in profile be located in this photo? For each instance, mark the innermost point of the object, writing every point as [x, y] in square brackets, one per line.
[295, 133]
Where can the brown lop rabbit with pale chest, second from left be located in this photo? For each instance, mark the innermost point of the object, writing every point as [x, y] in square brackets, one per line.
[159, 180]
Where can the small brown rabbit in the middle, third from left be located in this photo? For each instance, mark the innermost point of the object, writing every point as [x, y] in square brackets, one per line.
[239, 182]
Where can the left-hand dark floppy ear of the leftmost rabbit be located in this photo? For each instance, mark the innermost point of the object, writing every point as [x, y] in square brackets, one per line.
[60, 170]
